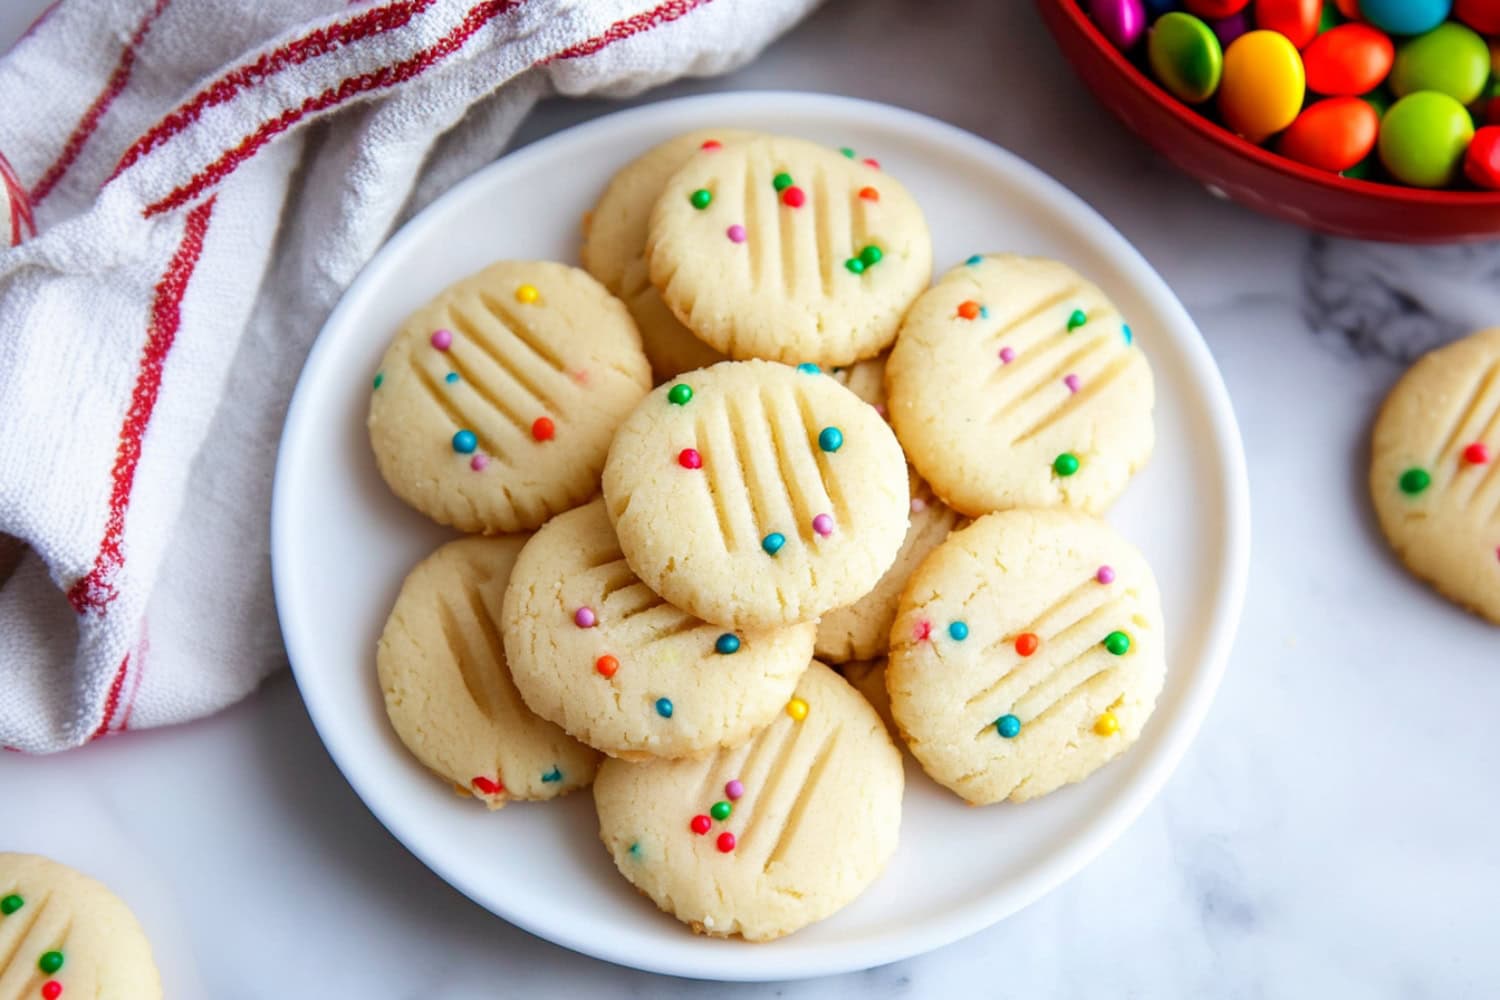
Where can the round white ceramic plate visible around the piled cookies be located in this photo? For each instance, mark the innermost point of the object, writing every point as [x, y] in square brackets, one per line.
[341, 545]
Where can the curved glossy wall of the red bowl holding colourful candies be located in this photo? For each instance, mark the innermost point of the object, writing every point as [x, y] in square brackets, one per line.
[1258, 178]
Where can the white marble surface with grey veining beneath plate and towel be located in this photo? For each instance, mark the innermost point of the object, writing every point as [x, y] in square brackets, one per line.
[1330, 834]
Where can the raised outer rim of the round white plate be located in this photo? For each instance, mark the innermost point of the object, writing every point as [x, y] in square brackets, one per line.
[761, 965]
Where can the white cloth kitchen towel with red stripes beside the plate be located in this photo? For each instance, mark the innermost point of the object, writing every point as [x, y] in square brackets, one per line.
[206, 178]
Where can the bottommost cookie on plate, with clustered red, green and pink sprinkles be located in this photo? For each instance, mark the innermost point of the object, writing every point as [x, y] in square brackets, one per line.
[772, 836]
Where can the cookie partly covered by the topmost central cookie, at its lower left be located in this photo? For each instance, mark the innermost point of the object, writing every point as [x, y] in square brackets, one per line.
[596, 651]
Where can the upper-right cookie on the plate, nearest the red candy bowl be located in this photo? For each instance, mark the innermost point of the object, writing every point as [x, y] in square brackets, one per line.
[1015, 383]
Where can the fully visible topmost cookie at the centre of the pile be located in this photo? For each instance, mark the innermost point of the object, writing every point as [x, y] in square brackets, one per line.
[754, 494]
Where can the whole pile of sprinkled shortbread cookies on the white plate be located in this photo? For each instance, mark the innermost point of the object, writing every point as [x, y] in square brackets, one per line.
[841, 464]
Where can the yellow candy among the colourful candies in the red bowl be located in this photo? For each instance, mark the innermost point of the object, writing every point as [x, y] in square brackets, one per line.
[1264, 85]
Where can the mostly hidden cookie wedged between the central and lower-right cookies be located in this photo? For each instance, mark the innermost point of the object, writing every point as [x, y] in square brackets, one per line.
[863, 629]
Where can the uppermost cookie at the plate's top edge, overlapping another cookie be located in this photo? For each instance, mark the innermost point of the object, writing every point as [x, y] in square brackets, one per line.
[784, 250]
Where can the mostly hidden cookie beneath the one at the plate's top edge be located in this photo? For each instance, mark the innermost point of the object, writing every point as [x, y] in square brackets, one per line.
[616, 248]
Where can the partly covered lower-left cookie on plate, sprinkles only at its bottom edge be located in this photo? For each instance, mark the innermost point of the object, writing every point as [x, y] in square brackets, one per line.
[448, 687]
